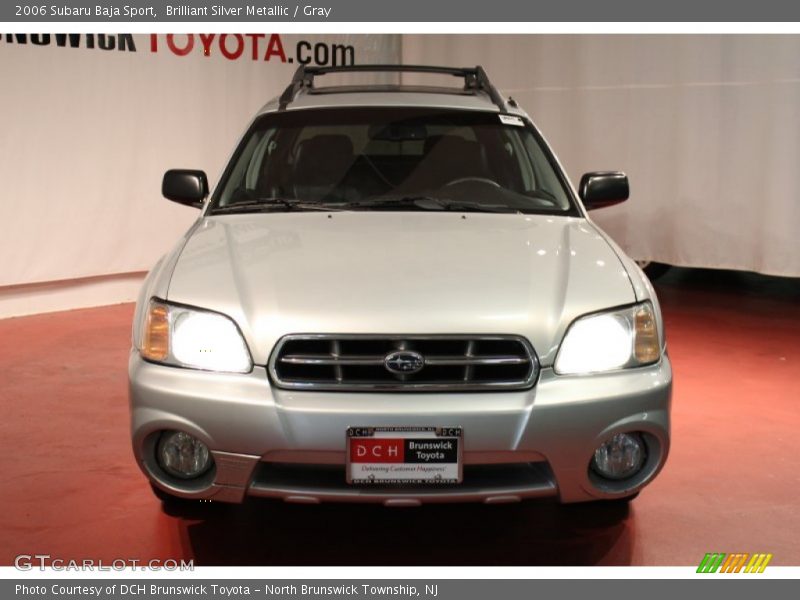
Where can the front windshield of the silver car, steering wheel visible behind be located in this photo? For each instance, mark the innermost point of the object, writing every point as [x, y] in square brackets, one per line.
[392, 158]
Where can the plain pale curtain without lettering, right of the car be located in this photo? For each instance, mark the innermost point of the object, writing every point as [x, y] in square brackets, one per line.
[707, 128]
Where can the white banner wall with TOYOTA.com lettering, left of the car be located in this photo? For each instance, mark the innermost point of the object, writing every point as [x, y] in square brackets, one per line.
[87, 134]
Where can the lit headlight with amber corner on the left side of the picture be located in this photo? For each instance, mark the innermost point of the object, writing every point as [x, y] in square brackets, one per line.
[189, 337]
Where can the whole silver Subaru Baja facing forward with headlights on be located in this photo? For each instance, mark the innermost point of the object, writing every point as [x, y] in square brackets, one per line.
[395, 295]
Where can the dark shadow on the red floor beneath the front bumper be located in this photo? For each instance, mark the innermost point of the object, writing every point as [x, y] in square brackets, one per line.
[273, 533]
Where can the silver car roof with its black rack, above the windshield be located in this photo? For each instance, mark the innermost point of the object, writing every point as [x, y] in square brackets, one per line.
[477, 94]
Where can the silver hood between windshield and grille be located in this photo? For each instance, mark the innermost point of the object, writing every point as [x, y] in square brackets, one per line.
[399, 272]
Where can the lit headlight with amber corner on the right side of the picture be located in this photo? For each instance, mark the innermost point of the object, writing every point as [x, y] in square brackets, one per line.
[611, 340]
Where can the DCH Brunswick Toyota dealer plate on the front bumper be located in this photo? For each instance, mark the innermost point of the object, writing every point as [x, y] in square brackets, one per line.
[404, 455]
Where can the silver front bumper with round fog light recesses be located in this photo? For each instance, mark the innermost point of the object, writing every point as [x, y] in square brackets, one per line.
[291, 444]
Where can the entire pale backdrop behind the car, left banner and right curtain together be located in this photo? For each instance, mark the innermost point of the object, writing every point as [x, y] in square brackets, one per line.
[707, 127]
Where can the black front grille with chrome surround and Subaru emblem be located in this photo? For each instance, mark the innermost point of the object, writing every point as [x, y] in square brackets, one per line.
[439, 363]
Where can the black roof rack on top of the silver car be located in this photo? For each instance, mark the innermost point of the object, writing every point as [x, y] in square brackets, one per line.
[475, 78]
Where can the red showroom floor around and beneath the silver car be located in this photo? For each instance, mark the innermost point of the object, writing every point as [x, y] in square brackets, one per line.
[70, 488]
